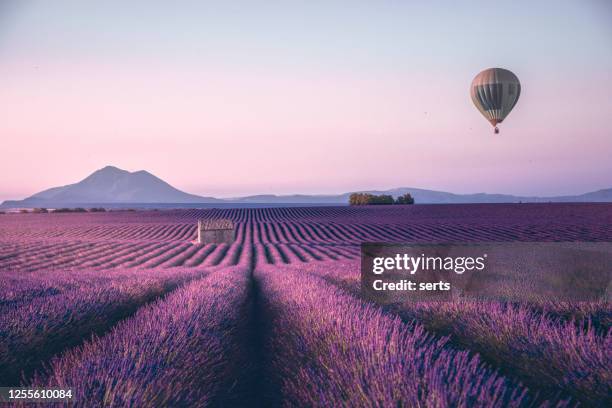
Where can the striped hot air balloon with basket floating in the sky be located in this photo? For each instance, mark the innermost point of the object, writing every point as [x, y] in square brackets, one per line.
[495, 91]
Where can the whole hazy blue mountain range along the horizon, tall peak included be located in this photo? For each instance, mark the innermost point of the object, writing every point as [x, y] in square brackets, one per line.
[112, 186]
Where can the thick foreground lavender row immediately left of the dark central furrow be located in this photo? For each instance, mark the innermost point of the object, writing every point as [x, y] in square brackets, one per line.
[184, 350]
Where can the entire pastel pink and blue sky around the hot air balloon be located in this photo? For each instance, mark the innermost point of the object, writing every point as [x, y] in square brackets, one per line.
[283, 97]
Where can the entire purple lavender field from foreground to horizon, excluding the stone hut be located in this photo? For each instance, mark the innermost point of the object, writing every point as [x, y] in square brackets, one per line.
[124, 308]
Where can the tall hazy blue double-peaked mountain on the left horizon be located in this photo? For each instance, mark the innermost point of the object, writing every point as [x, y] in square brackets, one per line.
[112, 185]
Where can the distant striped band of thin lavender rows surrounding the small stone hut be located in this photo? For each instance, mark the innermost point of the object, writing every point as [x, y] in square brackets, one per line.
[161, 238]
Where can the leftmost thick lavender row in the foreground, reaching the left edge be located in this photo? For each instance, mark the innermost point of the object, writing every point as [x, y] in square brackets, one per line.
[51, 321]
